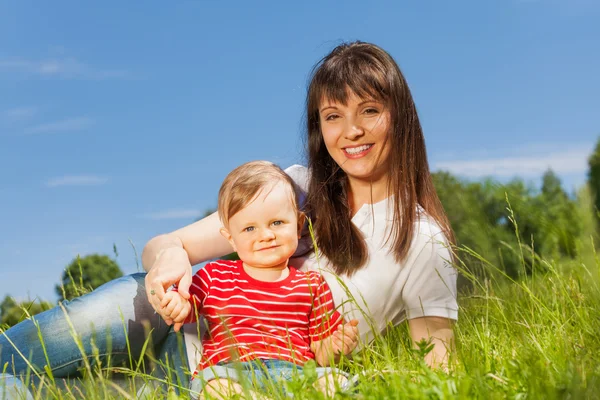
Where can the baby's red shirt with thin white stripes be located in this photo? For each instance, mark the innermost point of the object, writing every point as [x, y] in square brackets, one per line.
[250, 319]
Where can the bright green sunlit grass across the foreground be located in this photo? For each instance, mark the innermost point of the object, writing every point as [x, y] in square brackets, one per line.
[535, 337]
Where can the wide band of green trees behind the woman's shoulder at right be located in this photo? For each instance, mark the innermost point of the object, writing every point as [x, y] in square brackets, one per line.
[479, 213]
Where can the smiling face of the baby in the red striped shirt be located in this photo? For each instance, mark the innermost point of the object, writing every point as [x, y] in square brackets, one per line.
[265, 232]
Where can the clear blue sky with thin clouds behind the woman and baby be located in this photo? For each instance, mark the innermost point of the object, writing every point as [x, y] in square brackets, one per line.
[117, 124]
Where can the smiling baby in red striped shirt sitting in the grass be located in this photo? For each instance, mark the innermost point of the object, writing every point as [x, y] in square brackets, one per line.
[265, 320]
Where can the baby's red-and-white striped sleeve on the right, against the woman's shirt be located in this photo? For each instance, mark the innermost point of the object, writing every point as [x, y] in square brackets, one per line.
[324, 318]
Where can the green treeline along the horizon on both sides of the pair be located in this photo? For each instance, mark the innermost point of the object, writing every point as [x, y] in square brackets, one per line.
[511, 226]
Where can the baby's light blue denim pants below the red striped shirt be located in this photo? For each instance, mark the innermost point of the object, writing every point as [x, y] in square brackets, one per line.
[263, 375]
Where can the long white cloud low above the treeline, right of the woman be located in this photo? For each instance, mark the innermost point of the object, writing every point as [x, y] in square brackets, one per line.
[566, 162]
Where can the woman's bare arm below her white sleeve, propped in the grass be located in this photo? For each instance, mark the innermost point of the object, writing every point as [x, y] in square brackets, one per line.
[439, 331]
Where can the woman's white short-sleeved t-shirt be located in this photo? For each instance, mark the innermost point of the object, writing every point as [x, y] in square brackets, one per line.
[383, 292]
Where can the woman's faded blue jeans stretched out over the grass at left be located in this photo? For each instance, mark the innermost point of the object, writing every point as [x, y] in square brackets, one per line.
[116, 319]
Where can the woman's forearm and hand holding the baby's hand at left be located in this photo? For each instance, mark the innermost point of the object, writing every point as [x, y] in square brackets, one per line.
[169, 258]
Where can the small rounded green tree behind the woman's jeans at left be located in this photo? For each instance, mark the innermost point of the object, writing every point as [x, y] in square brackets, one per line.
[85, 274]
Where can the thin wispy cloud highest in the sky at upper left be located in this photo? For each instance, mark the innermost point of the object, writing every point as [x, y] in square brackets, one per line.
[60, 67]
